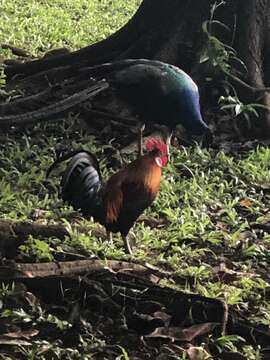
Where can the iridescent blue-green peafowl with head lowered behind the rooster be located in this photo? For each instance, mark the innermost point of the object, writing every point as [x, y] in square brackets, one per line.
[157, 92]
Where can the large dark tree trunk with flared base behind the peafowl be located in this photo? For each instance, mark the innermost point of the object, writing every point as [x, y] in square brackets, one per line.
[171, 31]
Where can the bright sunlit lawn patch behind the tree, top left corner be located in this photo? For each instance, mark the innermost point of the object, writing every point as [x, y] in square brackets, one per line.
[39, 26]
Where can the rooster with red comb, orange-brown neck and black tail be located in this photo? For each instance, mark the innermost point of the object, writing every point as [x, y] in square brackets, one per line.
[117, 203]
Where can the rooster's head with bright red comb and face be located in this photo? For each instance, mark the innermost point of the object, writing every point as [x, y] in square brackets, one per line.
[159, 149]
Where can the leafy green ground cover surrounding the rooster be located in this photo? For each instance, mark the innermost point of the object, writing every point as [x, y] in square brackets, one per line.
[209, 205]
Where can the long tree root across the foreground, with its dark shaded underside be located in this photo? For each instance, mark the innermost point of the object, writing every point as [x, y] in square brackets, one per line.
[52, 282]
